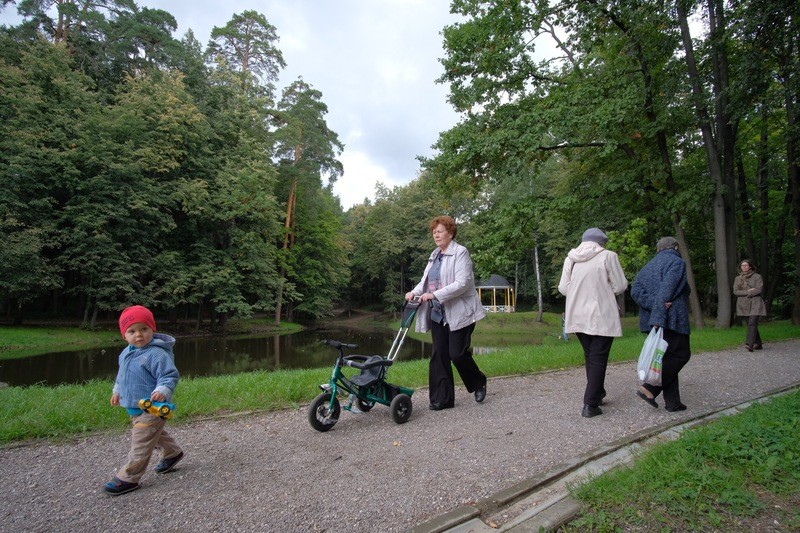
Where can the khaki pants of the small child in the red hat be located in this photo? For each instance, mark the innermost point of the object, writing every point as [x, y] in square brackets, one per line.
[147, 434]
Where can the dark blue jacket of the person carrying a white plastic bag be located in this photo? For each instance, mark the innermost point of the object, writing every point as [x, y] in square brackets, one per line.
[663, 280]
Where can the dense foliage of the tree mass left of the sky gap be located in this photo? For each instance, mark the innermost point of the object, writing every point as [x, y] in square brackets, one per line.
[135, 169]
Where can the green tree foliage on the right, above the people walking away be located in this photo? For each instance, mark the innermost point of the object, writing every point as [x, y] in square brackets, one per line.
[579, 115]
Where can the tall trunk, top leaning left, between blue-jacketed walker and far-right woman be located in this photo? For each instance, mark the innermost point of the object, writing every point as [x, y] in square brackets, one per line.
[724, 308]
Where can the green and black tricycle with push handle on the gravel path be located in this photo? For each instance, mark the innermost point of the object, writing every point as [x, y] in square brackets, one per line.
[367, 387]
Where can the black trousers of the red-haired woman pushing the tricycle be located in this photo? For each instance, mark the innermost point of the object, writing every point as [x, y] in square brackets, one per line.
[452, 346]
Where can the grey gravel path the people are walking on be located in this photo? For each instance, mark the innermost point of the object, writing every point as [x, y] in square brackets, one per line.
[272, 472]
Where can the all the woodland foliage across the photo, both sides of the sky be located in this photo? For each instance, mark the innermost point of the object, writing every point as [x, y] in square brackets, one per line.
[572, 115]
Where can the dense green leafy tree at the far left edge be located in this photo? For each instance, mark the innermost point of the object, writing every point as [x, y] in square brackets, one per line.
[45, 107]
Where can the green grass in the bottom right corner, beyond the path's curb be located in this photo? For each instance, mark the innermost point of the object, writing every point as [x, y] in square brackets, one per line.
[740, 473]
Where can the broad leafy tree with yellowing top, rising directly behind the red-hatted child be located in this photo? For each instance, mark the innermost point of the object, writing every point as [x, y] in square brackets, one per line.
[119, 209]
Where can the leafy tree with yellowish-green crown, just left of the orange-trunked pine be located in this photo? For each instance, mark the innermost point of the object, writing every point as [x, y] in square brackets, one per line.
[232, 219]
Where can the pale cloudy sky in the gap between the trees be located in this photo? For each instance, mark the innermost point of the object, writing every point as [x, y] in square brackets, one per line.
[375, 63]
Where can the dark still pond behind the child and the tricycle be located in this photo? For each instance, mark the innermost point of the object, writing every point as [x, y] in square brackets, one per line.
[212, 356]
